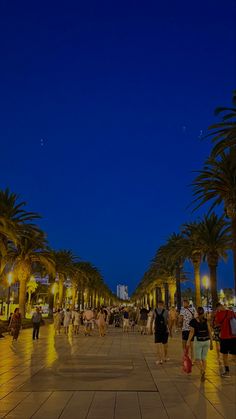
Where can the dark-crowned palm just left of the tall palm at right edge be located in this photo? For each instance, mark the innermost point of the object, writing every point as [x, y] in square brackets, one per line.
[215, 239]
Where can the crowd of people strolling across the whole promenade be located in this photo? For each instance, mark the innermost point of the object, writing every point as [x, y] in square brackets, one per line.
[200, 331]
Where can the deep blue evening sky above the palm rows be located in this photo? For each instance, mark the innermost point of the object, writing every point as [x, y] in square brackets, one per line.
[120, 93]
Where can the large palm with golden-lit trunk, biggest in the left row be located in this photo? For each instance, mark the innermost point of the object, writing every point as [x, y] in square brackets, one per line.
[30, 252]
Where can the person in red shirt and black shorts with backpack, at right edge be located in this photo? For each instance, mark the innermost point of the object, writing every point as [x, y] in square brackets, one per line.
[226, 320]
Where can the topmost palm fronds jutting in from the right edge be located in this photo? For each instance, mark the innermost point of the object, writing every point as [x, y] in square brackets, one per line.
[224, 133]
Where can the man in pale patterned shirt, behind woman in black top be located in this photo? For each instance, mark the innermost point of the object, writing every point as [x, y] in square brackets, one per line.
[187, 313]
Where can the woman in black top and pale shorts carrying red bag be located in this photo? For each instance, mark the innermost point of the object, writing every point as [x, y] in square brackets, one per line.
[201, 331]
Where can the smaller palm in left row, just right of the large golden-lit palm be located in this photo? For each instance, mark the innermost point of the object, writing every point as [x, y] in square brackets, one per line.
[65, 267]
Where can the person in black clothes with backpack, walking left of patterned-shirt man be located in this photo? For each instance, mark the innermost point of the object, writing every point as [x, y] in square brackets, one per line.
[161, 330]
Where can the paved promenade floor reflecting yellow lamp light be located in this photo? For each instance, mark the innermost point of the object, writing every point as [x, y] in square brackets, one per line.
[106, 378]
